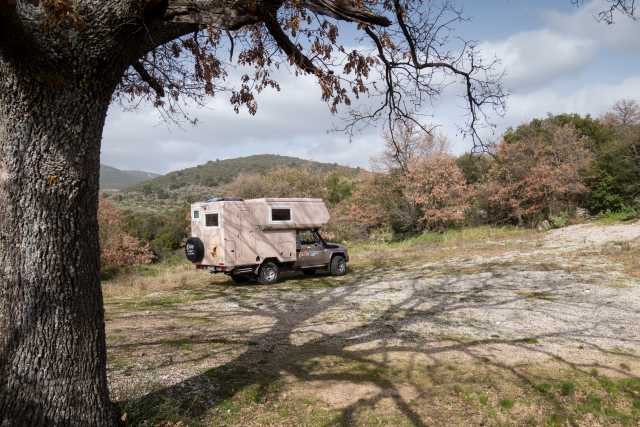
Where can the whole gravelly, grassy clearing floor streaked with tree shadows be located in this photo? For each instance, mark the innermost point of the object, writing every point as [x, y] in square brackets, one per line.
[500, 328]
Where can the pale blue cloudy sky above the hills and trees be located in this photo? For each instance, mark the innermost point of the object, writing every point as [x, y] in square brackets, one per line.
[556, 58]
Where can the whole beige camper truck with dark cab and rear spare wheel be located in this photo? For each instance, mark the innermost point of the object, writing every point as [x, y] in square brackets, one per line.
[260, 238]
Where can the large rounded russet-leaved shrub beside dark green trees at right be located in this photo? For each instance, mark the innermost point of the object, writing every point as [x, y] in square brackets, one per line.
[539, 176]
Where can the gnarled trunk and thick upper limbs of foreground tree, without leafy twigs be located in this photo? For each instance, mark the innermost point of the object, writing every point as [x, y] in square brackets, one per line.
[60, 62]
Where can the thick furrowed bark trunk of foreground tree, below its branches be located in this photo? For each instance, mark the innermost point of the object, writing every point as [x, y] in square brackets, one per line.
[52, 336]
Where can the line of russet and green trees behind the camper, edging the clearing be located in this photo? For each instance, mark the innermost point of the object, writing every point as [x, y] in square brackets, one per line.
[541, 174]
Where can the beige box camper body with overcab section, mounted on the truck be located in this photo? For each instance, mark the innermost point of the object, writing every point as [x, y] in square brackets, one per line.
[237, 233]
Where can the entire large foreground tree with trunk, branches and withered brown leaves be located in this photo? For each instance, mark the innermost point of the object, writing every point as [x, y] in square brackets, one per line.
[61, 64]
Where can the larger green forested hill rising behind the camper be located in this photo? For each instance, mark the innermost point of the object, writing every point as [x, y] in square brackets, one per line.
[218, 172]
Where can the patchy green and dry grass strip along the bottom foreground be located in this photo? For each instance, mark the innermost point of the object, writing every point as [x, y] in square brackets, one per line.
[244, 396]
